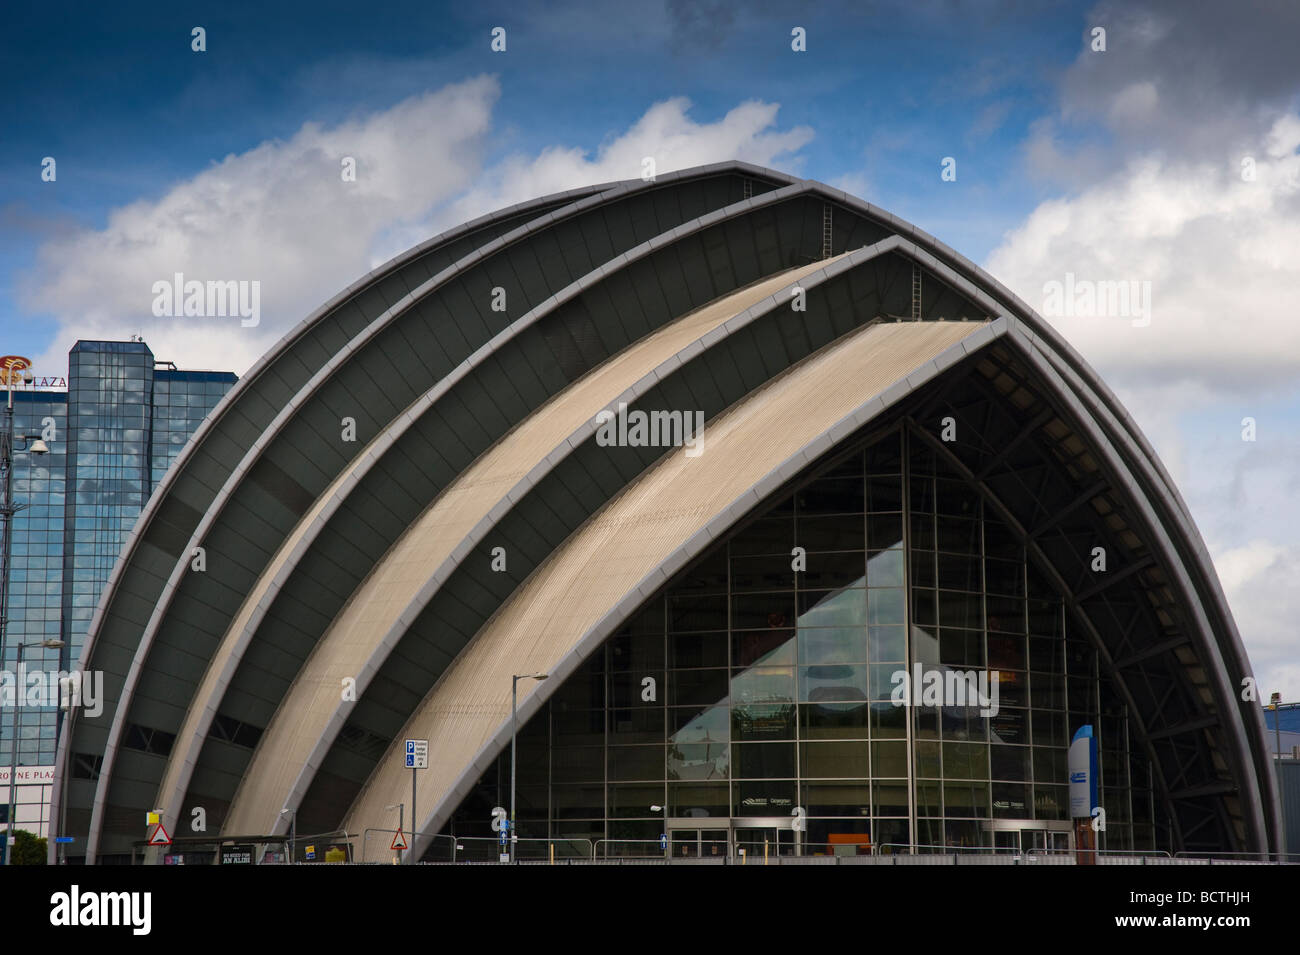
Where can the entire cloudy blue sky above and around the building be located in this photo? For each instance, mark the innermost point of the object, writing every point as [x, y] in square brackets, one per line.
[1117, 164]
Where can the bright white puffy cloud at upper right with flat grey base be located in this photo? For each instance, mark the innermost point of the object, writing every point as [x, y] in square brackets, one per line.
[1217, 251]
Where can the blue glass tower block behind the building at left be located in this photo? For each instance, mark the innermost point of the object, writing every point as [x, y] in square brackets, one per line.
[112, 436]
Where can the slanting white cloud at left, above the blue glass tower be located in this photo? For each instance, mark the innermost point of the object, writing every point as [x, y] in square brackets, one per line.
[279, 214]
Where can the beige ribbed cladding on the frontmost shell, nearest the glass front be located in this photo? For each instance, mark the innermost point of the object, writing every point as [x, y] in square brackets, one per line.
[600, 565]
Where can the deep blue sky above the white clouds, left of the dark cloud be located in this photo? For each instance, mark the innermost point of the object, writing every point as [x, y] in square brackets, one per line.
[128, 110]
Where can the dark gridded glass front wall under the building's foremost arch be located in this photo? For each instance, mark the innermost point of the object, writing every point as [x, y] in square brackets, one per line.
[783, 688]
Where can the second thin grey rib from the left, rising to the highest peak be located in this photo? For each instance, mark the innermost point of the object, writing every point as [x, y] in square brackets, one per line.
[318, 381]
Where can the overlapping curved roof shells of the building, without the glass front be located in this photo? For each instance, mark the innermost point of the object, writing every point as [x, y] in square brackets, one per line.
[471, 370]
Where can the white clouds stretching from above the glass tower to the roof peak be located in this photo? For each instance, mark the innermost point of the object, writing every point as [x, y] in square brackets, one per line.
[281, 215]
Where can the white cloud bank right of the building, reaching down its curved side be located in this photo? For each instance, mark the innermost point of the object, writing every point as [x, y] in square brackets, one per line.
[1220, 254]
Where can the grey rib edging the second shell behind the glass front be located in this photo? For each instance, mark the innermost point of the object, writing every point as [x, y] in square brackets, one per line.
[770, 309]
